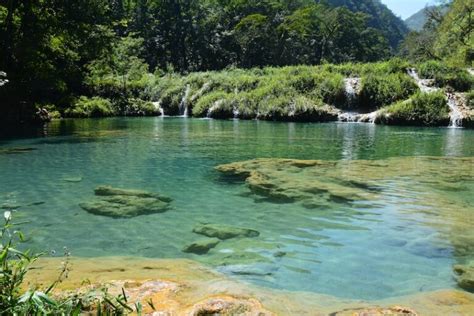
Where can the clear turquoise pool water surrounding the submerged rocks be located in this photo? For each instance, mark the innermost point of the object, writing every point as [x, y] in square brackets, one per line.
[388, 248]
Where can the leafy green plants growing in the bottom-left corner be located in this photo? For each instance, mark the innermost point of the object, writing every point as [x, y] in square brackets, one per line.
[16, 299]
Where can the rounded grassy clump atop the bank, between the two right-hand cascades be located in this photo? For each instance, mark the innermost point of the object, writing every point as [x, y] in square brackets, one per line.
[383, 89]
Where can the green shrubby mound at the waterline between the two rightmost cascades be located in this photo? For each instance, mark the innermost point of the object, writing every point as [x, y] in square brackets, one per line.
[429, 109]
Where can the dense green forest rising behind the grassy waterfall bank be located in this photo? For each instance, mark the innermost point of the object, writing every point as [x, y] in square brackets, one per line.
[53, 52]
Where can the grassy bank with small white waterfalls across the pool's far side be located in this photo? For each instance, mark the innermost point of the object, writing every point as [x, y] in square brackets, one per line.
[391, 93]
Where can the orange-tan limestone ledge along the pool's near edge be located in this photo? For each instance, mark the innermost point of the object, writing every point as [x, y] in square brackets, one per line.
[184, 287]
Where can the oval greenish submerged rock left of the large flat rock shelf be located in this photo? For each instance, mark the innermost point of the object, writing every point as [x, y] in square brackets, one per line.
[125, 203]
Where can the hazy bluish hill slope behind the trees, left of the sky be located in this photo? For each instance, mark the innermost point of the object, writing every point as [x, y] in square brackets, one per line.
[381, 18]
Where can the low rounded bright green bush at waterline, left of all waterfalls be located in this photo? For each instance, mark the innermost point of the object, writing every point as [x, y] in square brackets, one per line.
[91, 107]
